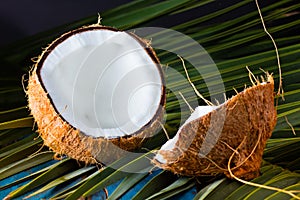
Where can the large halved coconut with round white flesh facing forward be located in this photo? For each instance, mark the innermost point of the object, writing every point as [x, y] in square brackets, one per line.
[96, 92]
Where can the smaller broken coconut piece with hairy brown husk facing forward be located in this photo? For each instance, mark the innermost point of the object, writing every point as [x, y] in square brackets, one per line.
[247, 121]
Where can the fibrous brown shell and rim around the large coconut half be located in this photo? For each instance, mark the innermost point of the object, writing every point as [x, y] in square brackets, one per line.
[62, 137]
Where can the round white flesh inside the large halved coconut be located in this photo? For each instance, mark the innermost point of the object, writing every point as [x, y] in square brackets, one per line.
[103, 82]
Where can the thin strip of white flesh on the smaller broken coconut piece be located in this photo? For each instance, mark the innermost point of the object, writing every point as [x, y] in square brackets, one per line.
[199, 111]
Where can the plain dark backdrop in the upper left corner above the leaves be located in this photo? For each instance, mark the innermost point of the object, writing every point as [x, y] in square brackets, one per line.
[21, 18]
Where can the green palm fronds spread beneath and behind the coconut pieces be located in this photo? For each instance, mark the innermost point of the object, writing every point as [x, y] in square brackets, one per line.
[233, 44]
